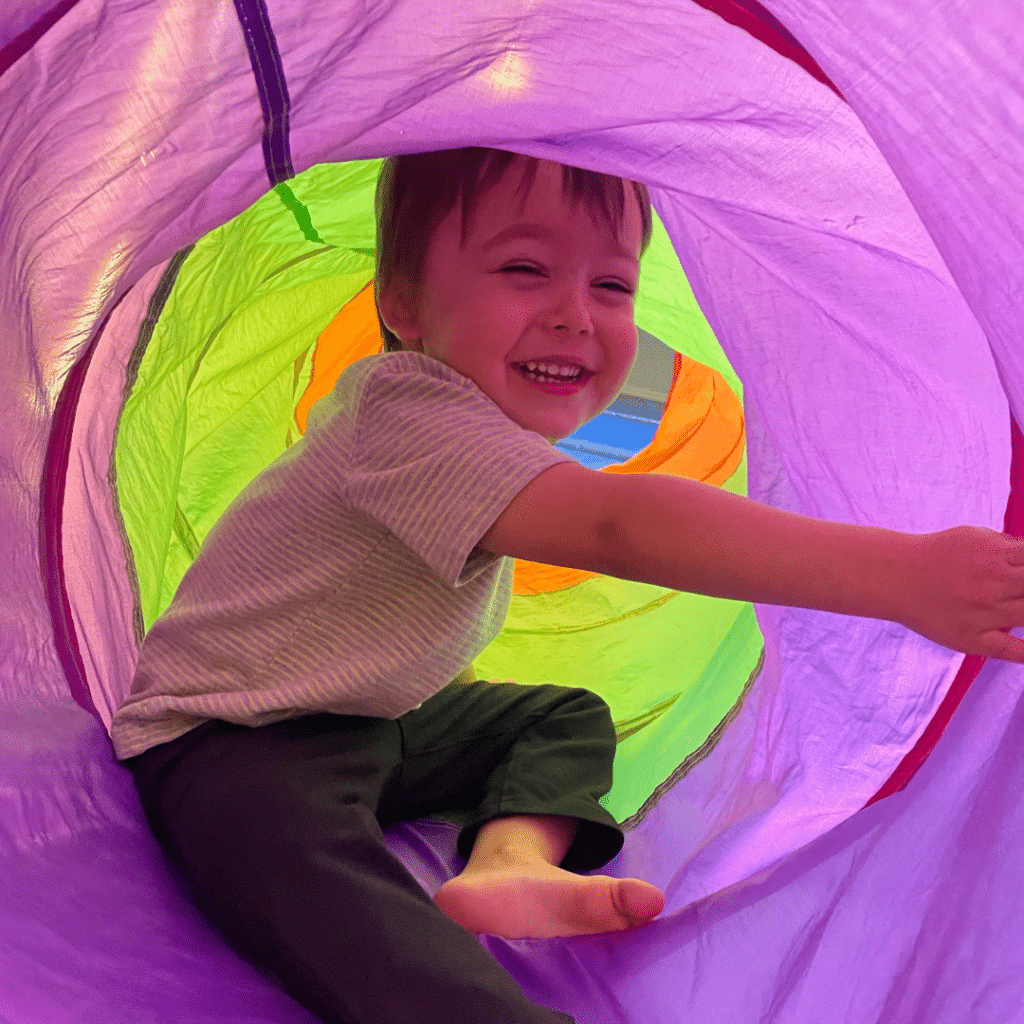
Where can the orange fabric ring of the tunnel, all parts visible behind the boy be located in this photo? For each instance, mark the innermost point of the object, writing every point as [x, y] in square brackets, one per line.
[701, 436]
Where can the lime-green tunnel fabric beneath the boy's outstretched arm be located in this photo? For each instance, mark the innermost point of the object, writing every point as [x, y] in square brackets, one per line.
[670, 665]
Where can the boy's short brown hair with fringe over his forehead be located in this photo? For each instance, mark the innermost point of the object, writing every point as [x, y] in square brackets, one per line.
[416, 192]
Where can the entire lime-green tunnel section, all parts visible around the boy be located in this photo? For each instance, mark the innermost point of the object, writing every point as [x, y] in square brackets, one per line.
[214, 405]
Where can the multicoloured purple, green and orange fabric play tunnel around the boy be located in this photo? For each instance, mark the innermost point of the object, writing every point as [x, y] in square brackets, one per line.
[830, 314]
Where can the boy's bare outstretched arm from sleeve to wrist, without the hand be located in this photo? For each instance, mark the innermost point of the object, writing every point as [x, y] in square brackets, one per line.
[689, 536]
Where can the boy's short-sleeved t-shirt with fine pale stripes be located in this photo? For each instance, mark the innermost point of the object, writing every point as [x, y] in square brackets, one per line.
[347, 577]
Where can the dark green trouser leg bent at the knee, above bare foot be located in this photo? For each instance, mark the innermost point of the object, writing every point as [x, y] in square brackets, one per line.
[504, 749]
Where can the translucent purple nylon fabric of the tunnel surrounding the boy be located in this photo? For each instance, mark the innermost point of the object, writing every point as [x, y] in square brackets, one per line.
[875, 332]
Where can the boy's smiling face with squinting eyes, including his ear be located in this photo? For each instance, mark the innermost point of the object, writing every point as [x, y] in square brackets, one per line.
[564, 300]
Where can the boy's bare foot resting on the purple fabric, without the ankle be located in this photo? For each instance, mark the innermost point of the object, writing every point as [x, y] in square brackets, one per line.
[528, 899]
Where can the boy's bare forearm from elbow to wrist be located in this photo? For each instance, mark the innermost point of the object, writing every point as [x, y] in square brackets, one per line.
[698, 538]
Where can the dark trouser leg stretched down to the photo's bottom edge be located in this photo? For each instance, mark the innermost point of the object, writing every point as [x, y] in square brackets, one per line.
[275, 831]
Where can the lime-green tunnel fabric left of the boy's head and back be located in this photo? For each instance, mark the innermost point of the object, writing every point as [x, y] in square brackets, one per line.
[214, 403]
